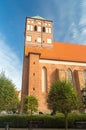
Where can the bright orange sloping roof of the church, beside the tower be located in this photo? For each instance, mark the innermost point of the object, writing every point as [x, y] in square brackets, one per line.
[61, 51]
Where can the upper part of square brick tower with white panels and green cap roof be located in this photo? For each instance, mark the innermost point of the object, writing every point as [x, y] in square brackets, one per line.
[38, 32]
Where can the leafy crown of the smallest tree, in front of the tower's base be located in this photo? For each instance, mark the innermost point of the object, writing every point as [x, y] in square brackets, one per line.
[31, 104]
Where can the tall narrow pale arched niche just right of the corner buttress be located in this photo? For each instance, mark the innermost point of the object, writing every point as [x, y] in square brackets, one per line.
[44, 79]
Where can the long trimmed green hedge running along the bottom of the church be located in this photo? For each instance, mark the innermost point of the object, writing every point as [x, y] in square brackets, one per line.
[57, 121]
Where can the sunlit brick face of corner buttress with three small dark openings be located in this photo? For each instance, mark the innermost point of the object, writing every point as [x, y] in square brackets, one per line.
[33, 74]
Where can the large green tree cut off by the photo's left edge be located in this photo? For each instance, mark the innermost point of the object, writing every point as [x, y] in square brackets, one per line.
[8, 95]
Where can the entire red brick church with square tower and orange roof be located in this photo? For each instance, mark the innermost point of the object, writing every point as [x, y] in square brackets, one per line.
[46, 61]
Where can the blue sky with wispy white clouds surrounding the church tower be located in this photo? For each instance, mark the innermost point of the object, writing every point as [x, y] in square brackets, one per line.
[69, 25]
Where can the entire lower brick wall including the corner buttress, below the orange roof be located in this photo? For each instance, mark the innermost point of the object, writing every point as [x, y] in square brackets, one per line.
[32, 77]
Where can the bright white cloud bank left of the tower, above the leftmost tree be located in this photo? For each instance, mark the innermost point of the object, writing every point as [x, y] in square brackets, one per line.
[10, 63]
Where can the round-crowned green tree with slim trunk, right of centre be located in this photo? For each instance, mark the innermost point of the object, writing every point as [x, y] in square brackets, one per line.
[62, 97]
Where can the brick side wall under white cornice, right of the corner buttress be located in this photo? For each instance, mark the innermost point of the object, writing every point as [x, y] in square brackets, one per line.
[59, 71]
